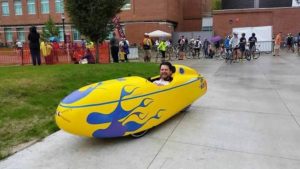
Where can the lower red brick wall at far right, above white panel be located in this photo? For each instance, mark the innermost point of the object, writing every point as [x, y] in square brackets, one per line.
[285, 19]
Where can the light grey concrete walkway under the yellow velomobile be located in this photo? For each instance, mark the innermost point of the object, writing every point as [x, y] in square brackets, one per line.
[249, 119]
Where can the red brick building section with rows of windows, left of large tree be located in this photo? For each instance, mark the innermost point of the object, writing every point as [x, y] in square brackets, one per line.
[18, 15]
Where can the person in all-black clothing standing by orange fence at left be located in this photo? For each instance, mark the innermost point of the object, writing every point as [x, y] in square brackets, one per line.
[34, 45]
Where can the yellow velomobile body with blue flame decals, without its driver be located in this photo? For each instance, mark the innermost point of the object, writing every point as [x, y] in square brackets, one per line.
[129, 105]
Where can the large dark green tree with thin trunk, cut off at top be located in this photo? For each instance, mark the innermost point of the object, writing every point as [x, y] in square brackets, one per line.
[93, 18]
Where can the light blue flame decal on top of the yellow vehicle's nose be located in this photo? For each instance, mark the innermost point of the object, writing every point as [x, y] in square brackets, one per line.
[77, 95]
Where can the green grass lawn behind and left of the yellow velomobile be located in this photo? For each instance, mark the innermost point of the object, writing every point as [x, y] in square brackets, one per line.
[29, 96]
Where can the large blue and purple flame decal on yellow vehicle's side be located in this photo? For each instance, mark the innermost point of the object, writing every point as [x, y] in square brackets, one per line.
[118, 126]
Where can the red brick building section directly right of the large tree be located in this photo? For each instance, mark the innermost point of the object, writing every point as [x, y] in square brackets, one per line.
[166, 15]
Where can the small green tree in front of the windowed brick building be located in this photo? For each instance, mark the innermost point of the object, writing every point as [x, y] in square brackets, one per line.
[49, 30]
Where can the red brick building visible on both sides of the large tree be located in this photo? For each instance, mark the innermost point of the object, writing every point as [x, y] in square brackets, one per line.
[137, 17]
